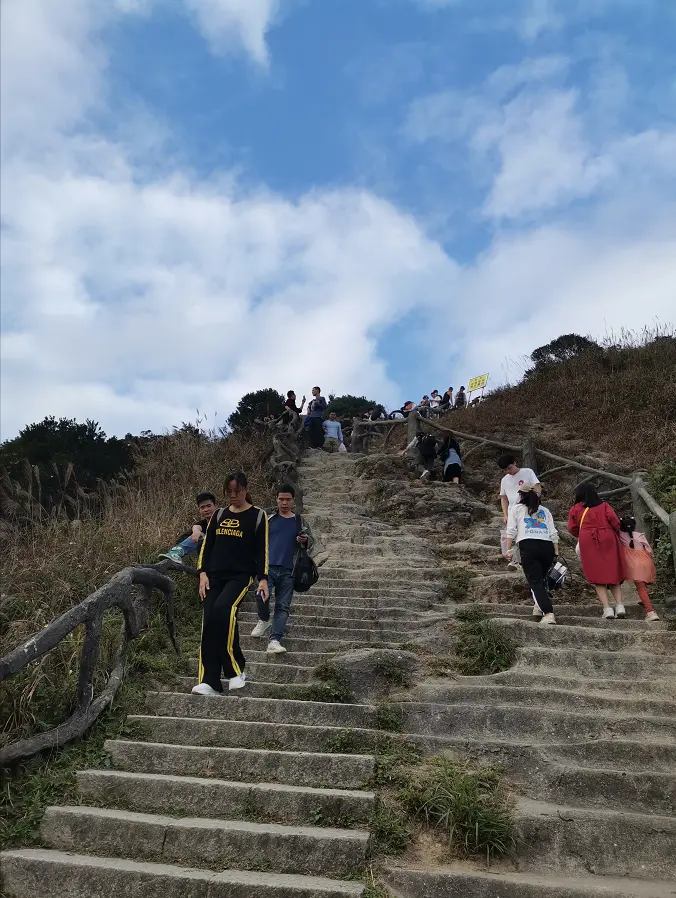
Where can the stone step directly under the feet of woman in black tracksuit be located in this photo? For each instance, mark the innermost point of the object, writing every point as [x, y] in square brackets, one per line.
[239, 707]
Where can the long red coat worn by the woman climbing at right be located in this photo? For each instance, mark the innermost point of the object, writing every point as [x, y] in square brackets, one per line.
[600, 547]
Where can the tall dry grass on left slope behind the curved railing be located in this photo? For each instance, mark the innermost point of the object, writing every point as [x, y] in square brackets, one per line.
[49, 567]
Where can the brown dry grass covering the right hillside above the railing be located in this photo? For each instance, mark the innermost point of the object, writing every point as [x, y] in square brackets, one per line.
[620, 399]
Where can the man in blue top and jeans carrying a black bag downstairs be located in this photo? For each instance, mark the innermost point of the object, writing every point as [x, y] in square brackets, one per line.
[290, 534]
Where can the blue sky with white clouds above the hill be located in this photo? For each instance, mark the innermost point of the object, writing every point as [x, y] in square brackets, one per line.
[205, 197]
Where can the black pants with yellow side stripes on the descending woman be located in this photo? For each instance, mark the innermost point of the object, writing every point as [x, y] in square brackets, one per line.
[220, 649]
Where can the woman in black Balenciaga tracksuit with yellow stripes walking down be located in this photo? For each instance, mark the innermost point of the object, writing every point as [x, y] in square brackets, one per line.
[234, 551]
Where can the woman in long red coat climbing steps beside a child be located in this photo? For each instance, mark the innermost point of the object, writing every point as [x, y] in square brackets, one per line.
[598, 529]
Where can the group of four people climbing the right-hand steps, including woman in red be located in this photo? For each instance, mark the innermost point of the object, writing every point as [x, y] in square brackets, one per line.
[611, 550]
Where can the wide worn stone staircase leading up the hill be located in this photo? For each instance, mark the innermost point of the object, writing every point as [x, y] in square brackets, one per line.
[245, 796]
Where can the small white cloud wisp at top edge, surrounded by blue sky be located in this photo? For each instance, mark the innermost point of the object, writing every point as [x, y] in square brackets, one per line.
[243, 22]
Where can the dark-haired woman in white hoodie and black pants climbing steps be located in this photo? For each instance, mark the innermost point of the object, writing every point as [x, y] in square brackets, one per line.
[531, 526]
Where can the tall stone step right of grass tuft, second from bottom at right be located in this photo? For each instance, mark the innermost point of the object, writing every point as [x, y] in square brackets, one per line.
[552, 838]
